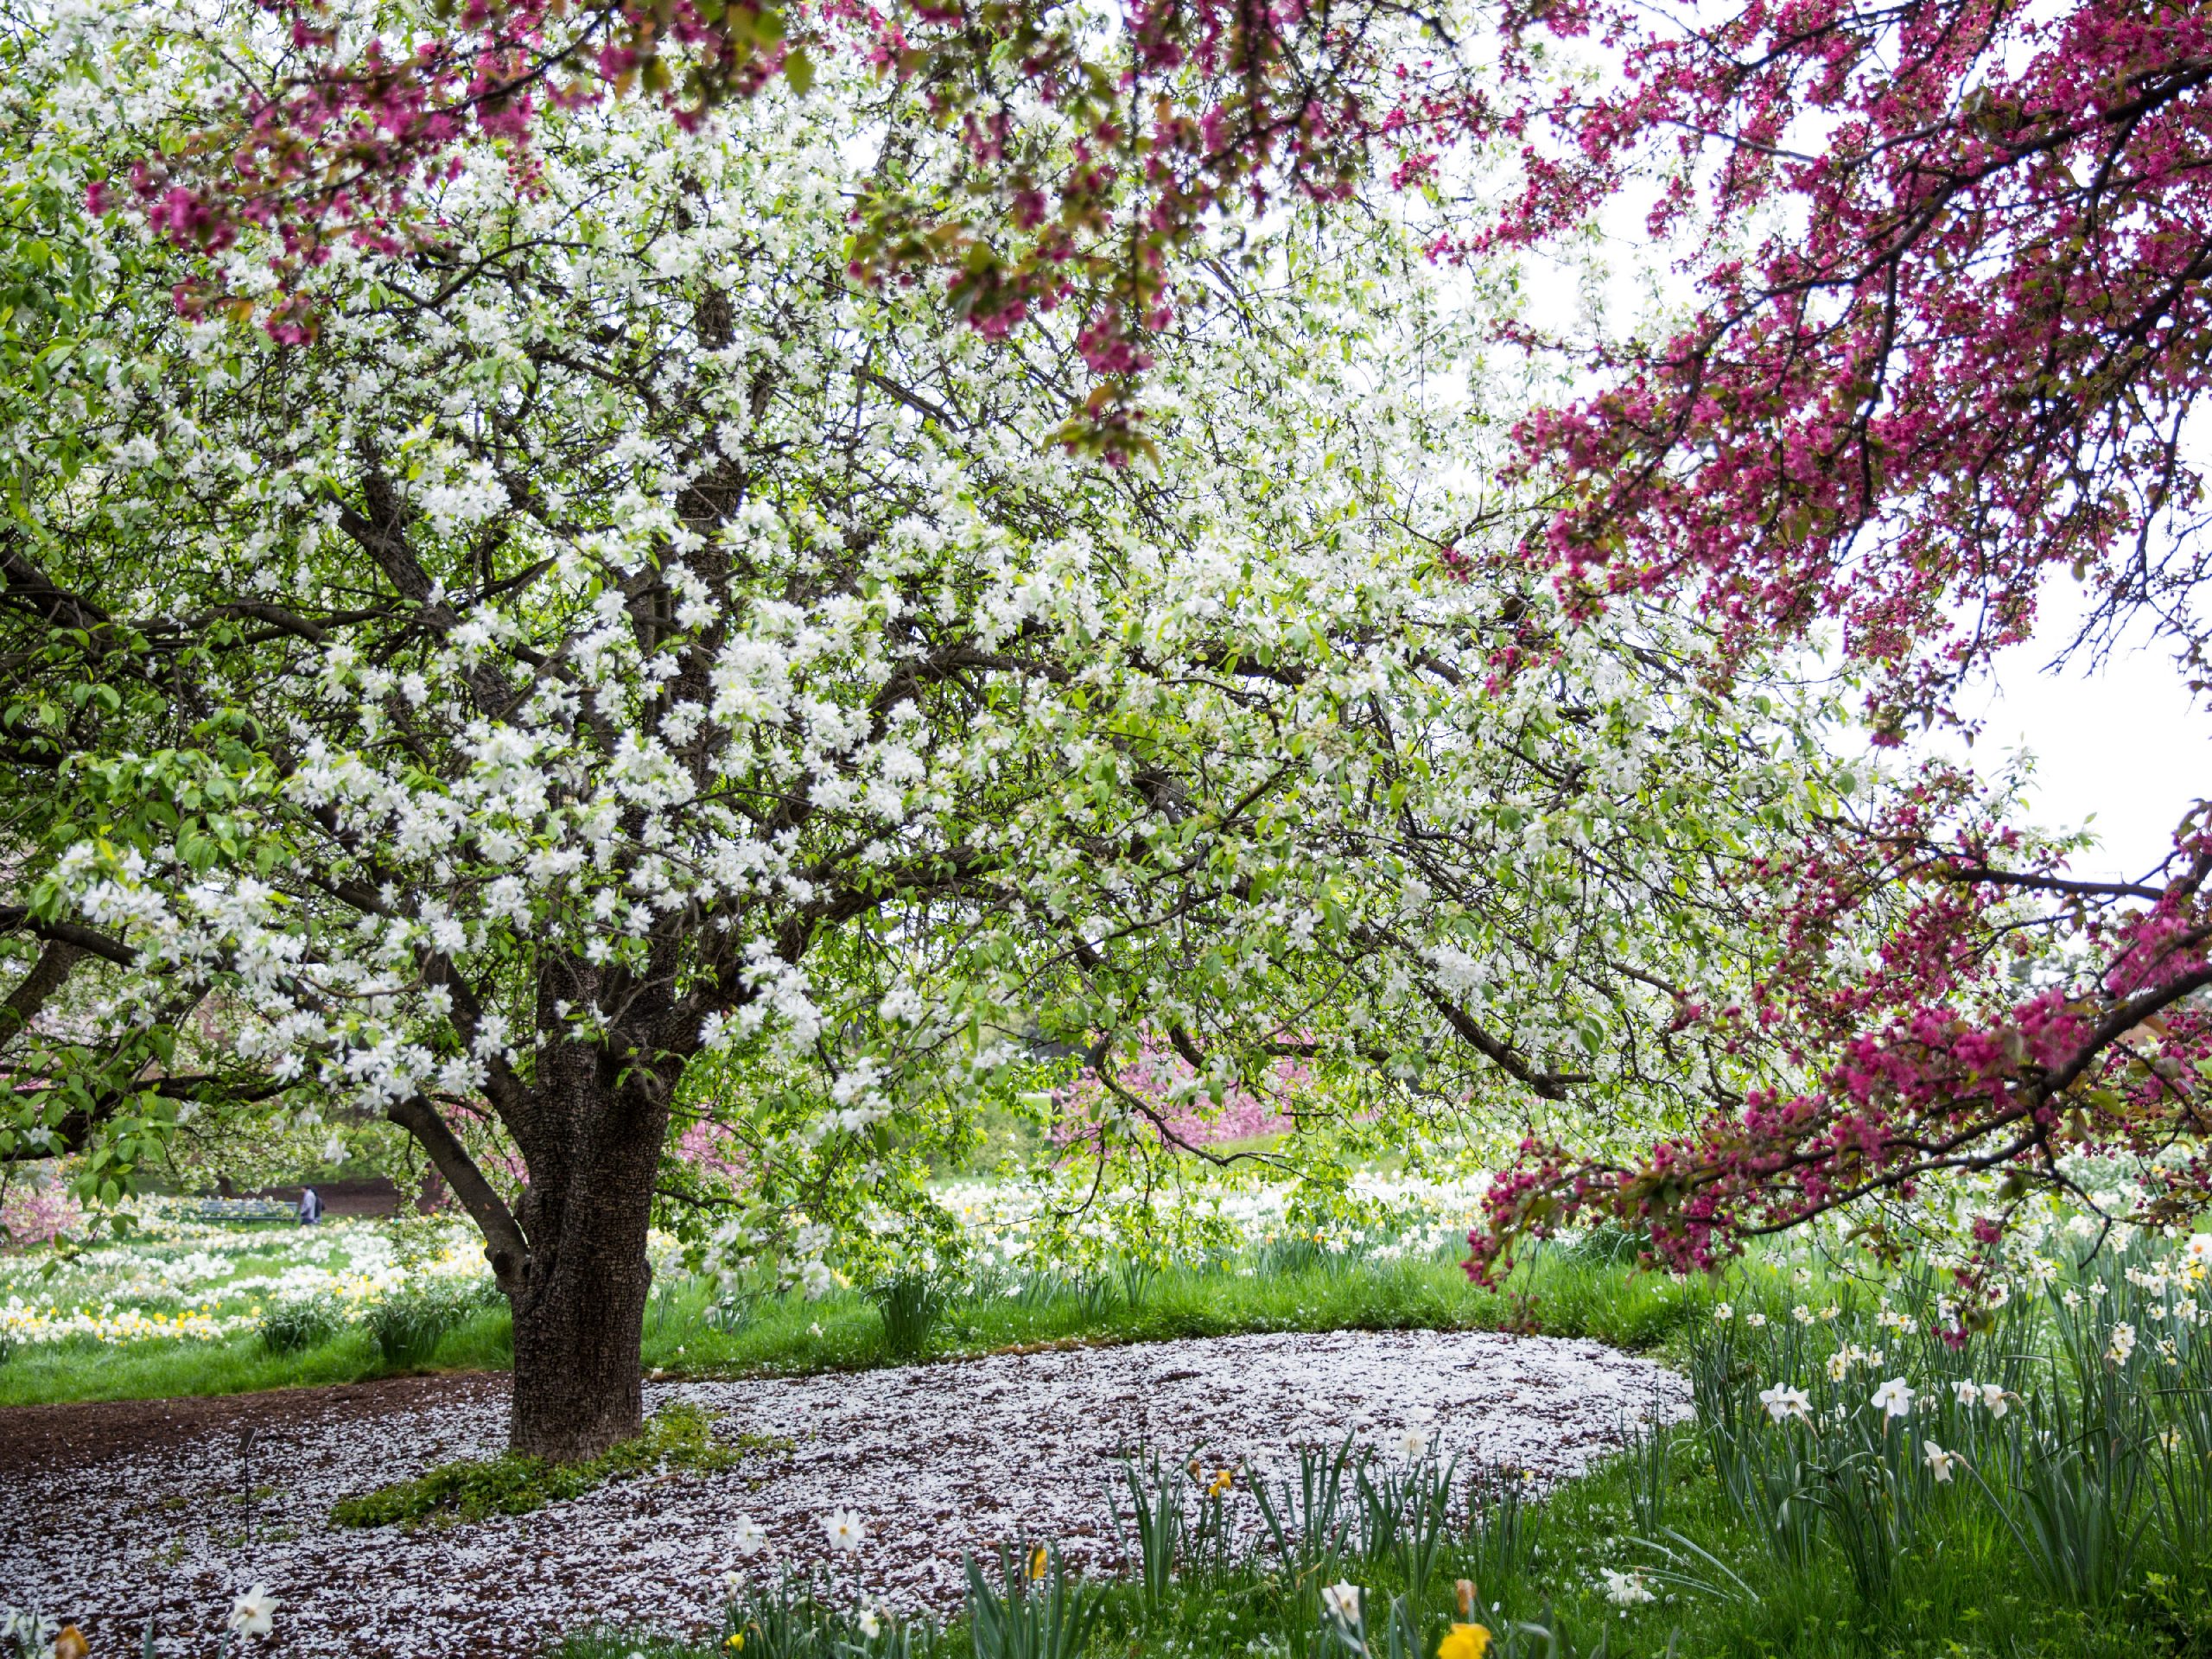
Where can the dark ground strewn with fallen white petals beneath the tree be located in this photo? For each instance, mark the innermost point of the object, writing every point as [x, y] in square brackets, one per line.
[935, 1459]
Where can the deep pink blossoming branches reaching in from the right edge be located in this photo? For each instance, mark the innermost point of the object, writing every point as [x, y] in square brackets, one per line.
[1950, 264]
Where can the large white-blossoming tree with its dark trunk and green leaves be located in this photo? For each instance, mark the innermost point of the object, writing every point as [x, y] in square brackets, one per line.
[616, 640]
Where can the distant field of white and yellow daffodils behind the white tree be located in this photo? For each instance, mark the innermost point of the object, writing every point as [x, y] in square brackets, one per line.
[171, 1275]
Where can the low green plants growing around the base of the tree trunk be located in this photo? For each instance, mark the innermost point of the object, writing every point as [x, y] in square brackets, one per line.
[678, 1437]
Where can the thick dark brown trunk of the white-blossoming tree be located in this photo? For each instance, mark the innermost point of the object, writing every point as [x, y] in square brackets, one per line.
[583, 1300]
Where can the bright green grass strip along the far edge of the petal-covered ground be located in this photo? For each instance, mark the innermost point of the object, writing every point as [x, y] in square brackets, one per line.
[1565, 1293]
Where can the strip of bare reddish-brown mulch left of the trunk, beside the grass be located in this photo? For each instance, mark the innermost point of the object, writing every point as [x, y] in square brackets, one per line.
[45, 1437]
